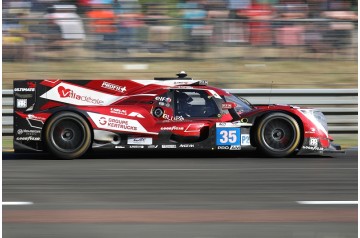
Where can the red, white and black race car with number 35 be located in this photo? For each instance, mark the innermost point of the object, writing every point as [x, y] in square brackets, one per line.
[70, 117]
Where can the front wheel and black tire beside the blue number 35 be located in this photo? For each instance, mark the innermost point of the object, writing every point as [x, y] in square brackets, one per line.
[278, 135]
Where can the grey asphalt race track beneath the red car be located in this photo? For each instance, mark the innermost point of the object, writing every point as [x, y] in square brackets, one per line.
[169, 194]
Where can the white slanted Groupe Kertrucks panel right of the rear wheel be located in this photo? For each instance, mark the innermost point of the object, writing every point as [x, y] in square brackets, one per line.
[116, 123]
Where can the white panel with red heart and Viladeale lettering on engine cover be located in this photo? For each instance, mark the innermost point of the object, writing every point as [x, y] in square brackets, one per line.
[76, 95]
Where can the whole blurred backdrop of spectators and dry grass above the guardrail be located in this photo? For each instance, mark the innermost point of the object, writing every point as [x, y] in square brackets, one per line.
[231, 43]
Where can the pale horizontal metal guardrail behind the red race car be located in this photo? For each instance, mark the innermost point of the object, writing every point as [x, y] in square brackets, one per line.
[340, 106]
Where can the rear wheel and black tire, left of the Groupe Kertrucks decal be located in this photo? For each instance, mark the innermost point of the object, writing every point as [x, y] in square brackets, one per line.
[67, 135]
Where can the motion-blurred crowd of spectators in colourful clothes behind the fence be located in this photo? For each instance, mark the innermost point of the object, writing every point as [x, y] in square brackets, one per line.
[117, 29]
